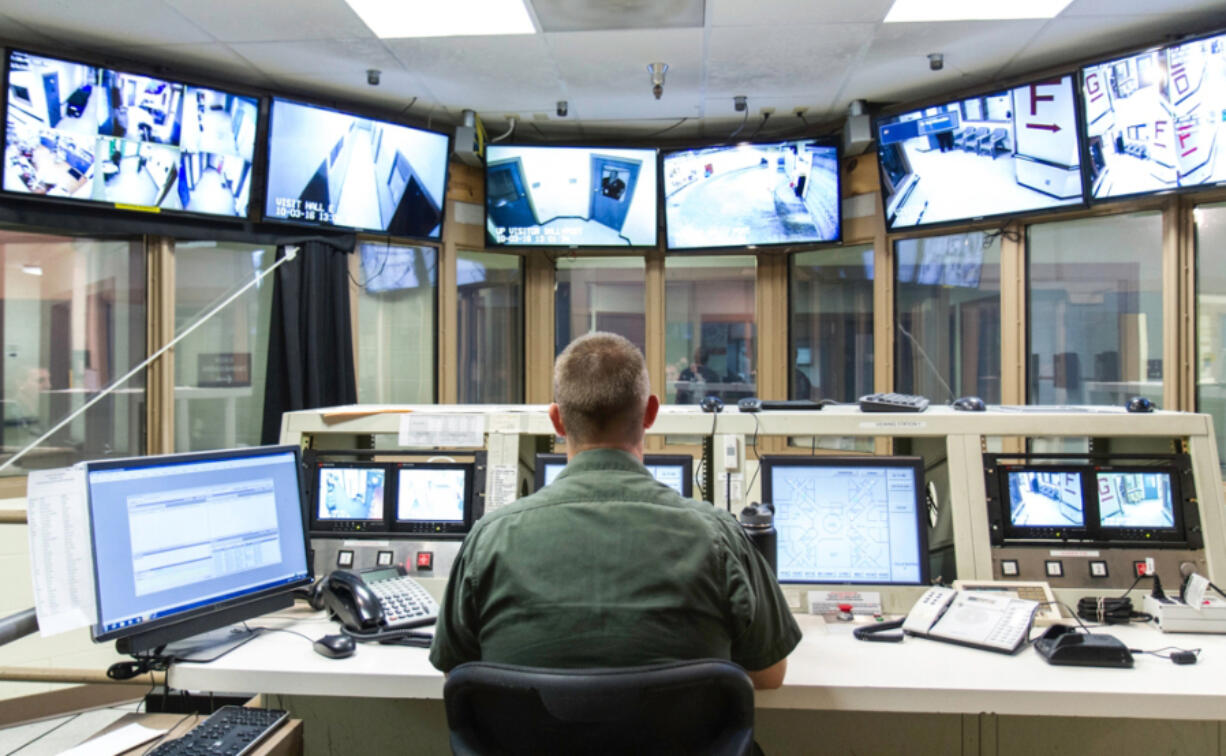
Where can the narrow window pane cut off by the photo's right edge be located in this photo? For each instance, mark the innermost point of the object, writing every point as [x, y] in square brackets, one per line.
[1212, 319]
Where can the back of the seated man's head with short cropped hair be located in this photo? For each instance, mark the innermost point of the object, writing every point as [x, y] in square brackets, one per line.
[600, 384]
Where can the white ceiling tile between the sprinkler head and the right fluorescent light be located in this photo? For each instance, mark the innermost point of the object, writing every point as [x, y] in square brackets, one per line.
[768, 62]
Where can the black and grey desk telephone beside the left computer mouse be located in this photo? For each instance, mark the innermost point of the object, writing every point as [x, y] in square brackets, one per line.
[379, 600]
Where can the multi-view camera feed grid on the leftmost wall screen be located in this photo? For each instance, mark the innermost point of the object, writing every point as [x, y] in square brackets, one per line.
[84, 133]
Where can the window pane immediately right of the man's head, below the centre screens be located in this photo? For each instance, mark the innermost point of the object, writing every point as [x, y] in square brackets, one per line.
[710, 339]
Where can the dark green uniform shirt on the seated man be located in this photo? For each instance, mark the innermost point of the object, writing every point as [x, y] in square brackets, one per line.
[609, 568]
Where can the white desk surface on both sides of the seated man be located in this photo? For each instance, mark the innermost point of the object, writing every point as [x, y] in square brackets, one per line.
[829, 671]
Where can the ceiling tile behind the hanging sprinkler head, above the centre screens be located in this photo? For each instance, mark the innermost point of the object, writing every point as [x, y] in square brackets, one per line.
[616, 63]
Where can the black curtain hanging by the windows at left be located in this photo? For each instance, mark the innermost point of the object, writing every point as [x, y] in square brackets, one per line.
[311, 347]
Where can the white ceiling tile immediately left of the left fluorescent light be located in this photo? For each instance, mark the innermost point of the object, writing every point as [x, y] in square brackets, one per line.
[273, 20]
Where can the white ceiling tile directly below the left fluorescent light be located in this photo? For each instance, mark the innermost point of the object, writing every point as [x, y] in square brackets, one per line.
[511, 74]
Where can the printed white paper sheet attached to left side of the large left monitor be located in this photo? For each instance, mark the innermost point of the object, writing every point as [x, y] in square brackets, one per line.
[61, 562]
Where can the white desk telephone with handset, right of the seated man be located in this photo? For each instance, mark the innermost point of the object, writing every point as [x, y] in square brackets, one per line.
[986, 621]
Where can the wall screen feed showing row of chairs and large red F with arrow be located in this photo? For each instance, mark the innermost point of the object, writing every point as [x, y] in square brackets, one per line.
[1008, 153]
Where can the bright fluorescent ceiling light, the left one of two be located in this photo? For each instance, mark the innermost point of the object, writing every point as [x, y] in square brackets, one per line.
[403, 19]
